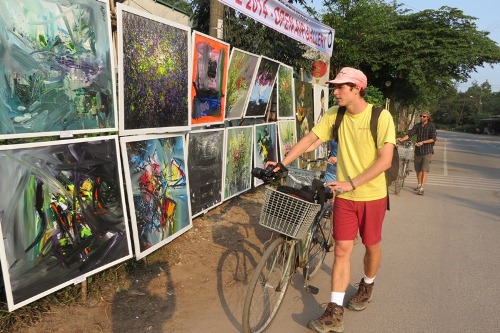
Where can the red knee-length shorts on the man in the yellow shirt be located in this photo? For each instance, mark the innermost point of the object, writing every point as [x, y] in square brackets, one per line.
[366, 216]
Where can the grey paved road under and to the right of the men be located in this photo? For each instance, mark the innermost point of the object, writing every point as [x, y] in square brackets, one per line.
[441, 253]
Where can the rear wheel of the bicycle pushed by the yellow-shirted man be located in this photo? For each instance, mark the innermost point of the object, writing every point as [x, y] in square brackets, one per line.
[321, 241]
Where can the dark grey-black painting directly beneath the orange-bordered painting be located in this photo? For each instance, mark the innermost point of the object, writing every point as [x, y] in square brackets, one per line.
[205, 168]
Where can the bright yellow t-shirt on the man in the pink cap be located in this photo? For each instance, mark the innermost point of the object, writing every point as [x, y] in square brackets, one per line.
[356, 149]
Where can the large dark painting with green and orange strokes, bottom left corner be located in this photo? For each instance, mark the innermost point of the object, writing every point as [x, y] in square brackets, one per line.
[62, 215]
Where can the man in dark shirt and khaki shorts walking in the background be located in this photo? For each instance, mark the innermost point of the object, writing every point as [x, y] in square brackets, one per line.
[424, 148]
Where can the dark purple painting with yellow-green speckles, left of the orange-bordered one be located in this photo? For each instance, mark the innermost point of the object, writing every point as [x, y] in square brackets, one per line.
[153, 73]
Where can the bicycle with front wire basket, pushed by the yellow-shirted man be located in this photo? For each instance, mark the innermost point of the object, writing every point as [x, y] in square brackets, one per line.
[304, 230]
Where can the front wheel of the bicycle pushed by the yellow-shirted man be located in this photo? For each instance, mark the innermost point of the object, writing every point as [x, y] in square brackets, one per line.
[268, 286]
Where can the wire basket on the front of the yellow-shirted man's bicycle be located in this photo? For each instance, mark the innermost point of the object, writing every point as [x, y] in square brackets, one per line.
[287, 214]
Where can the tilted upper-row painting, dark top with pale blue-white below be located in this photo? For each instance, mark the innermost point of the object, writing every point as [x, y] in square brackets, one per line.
[262, 87]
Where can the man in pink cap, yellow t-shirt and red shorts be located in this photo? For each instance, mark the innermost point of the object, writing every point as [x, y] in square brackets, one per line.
[362, 202]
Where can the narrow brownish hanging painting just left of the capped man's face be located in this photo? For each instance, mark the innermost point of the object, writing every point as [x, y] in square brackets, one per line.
[304, 115]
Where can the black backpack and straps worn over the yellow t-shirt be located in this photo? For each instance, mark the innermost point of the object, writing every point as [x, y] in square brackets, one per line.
[391, 174]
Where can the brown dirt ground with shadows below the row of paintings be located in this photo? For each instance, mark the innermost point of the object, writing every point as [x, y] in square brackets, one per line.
[209, 268]
